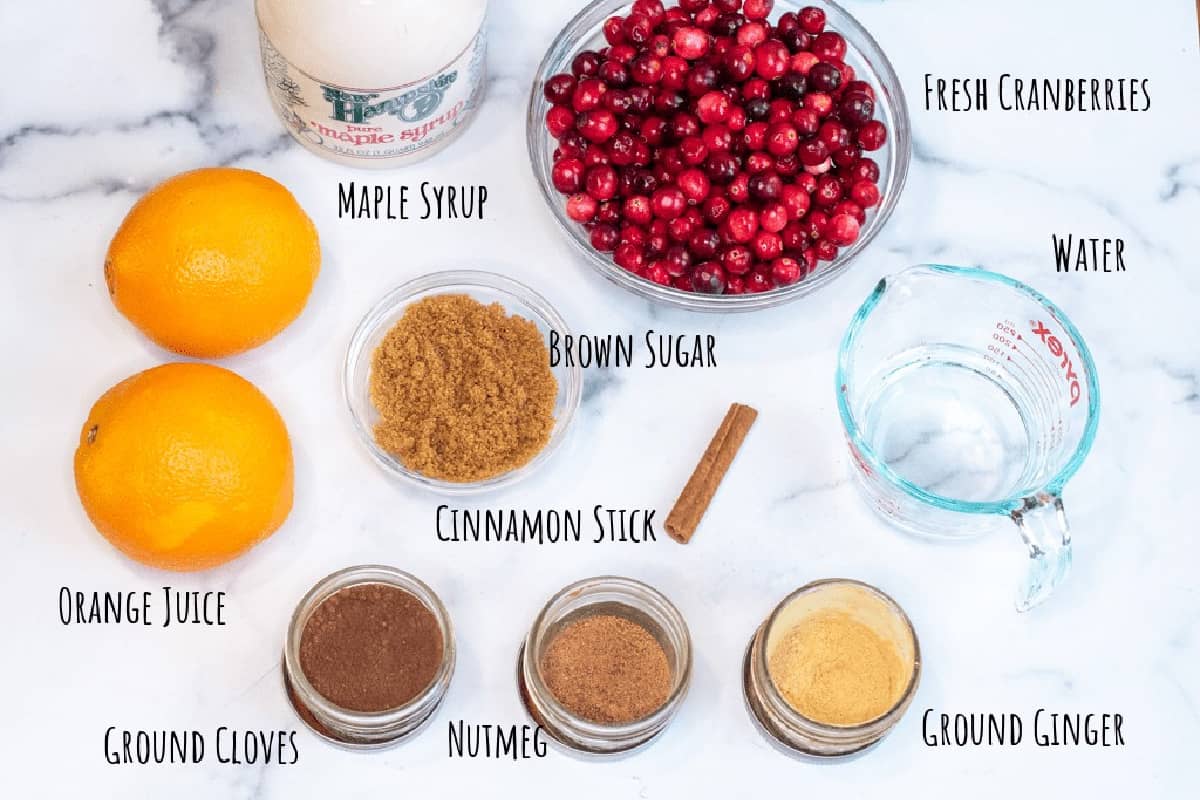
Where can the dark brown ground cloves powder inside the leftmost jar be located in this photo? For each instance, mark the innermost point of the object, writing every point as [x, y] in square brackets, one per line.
[371, 648]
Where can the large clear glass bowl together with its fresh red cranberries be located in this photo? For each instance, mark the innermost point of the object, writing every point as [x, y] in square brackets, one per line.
[718, 155]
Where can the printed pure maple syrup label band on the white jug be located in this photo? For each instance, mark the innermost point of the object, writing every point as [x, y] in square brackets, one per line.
[373, 123]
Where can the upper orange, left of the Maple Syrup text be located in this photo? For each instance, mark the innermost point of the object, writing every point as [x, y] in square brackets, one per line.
[214, 262]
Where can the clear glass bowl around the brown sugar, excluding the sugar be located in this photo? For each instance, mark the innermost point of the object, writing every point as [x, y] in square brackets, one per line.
[488, 288]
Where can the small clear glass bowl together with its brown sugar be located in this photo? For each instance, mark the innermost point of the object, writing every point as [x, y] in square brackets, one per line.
[451, 387]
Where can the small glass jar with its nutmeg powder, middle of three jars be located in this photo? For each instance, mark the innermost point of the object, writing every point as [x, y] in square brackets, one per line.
[605, 666]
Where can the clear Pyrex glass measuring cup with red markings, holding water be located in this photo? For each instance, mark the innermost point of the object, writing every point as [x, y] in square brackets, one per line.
[967, 394]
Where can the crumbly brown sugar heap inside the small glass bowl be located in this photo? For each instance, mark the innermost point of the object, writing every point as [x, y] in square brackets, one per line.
[465, 390]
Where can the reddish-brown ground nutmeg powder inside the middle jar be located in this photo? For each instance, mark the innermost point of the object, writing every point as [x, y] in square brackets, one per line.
[607, 669]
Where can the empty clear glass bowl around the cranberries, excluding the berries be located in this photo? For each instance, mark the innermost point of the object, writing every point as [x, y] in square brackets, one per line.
[863, 53]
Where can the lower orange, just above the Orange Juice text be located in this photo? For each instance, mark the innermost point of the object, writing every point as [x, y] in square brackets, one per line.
[184, 467]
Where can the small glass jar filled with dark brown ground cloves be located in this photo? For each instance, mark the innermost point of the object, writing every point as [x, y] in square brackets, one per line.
[369, 657]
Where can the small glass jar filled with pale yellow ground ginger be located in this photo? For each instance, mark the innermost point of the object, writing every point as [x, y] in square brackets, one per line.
[833, 670]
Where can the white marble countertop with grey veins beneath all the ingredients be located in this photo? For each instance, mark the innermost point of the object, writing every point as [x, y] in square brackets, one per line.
[104, 100]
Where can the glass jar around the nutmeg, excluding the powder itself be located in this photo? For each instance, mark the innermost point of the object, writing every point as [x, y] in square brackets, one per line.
[604, 596]
